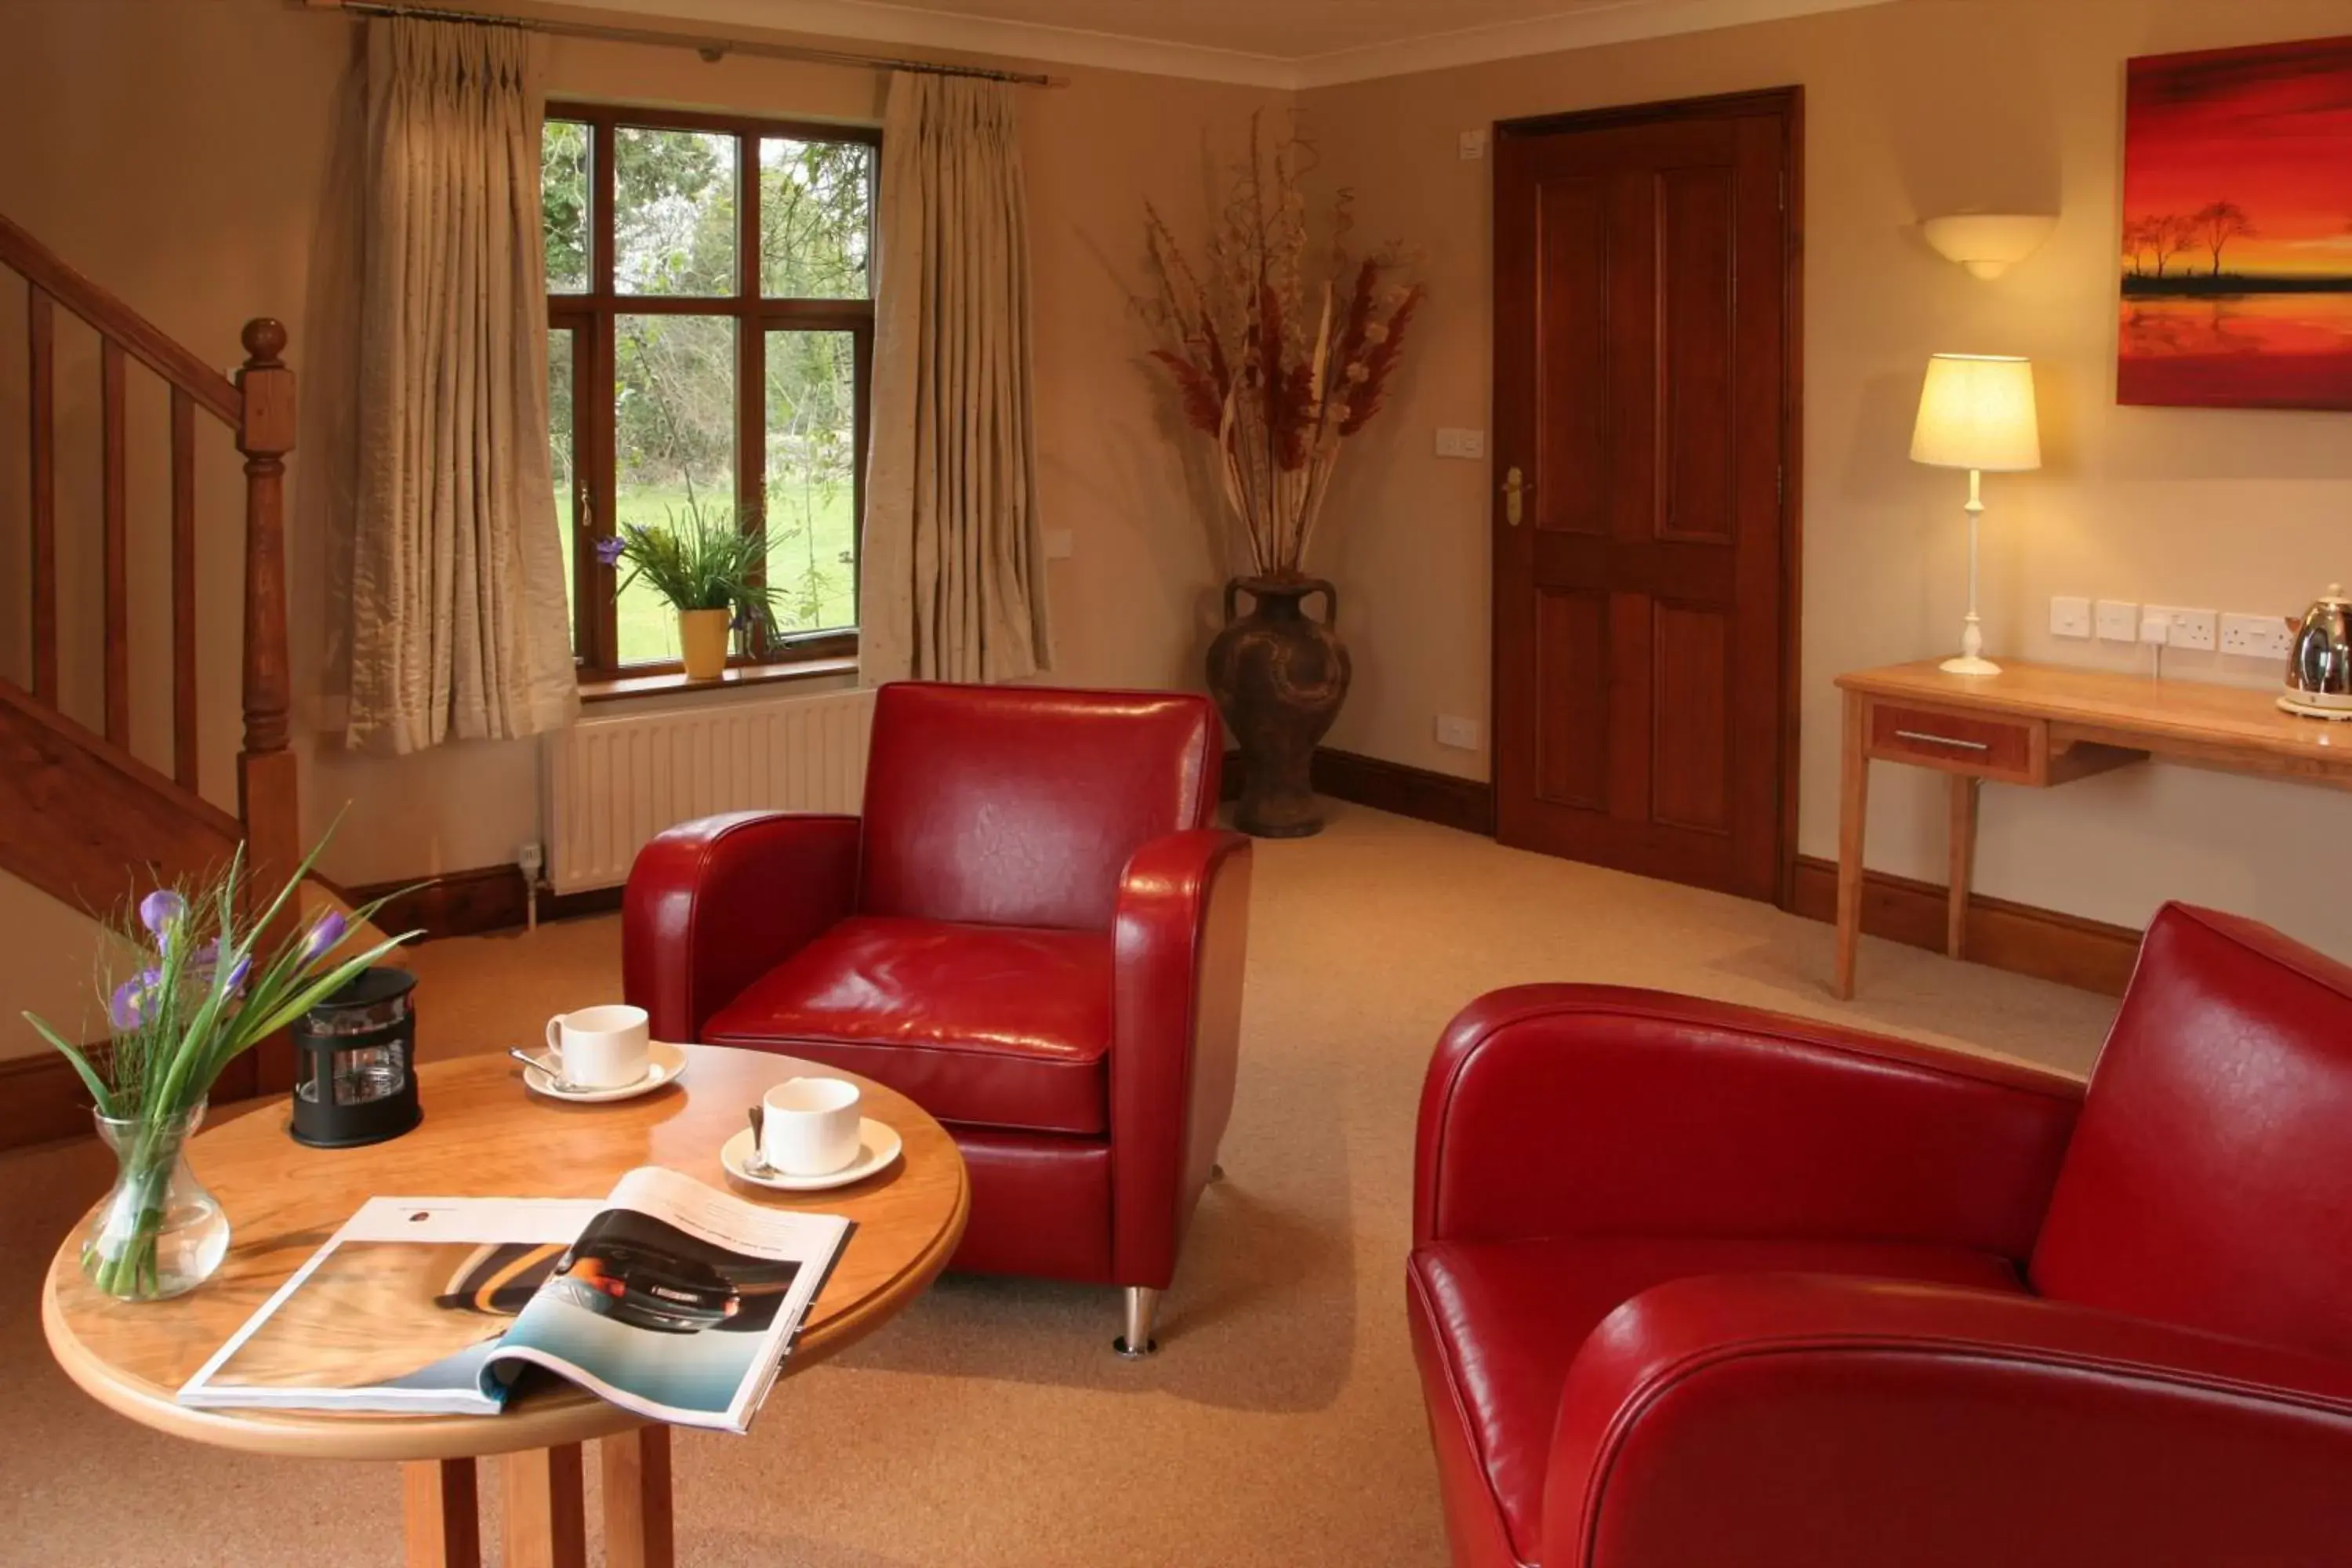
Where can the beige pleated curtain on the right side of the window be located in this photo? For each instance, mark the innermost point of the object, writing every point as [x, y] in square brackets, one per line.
[954, 572]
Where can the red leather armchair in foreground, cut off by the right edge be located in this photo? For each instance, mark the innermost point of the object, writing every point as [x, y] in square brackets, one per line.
[1699, 1287]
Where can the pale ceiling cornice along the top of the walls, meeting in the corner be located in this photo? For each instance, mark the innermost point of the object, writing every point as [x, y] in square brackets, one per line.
[881, 22]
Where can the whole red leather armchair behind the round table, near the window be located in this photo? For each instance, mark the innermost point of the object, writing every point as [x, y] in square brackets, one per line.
[1031, 932]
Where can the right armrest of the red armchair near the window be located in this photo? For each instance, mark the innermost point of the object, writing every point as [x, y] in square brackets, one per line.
[1180, 932]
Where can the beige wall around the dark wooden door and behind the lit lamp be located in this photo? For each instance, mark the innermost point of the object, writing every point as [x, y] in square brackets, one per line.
[1913, 109]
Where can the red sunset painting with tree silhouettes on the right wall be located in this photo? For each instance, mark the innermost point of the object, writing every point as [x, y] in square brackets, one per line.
[2238, 229]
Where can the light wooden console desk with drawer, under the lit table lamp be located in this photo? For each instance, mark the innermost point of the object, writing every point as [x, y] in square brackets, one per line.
[2047, 725]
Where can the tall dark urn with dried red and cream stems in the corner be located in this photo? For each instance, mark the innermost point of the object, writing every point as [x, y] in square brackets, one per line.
[1281, 349]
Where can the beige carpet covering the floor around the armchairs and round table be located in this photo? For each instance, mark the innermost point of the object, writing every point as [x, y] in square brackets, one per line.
[991, 1423]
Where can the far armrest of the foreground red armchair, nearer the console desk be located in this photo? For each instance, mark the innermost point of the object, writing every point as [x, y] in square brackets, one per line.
[1603, 1111]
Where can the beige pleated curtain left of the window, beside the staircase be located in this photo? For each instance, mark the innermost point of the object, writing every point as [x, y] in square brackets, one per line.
[460, 624]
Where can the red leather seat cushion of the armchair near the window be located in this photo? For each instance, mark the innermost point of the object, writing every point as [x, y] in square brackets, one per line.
[982, 1026]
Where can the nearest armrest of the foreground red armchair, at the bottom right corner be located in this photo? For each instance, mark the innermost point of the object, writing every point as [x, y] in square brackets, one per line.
[1824, 1421]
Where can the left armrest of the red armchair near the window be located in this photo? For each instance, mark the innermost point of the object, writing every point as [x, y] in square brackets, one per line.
[716, 904]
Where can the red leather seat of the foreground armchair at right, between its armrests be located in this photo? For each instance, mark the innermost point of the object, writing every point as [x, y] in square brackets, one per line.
[1499, 1322]
